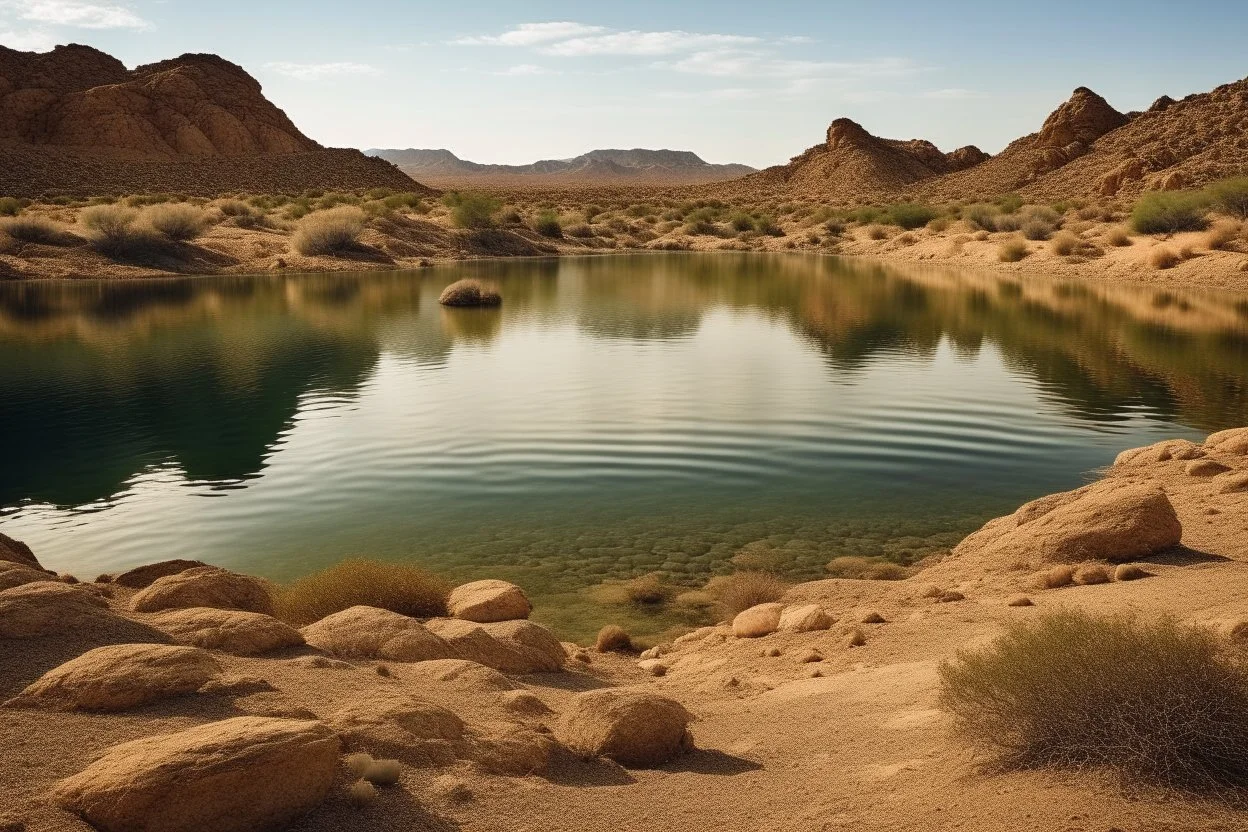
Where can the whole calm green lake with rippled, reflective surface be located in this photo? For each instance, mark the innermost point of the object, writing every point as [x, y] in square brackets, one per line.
[617, 416]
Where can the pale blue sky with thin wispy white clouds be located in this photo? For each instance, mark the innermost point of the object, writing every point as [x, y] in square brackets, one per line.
[754, 83]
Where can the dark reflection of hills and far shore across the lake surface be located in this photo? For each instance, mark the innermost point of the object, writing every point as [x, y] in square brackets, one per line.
[102, 381]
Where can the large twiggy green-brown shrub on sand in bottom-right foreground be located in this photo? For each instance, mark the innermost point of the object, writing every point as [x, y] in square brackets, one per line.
[1154, 700]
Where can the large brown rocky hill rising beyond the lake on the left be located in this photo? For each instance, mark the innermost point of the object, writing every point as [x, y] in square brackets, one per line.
[76, 120]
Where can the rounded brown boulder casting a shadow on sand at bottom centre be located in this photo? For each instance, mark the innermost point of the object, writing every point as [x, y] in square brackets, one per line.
[632, 728]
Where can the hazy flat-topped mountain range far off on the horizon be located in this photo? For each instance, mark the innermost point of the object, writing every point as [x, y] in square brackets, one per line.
[638, 167]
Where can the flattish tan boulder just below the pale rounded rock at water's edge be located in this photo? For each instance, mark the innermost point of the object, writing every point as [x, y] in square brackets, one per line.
[510, 647]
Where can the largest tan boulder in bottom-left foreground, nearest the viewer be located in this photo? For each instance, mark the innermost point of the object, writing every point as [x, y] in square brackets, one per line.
[241, 775]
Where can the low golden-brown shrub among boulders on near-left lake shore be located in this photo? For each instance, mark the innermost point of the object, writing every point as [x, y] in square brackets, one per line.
[400, 588]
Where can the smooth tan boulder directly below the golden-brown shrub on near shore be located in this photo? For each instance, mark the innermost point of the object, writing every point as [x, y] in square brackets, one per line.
[373, 633]
